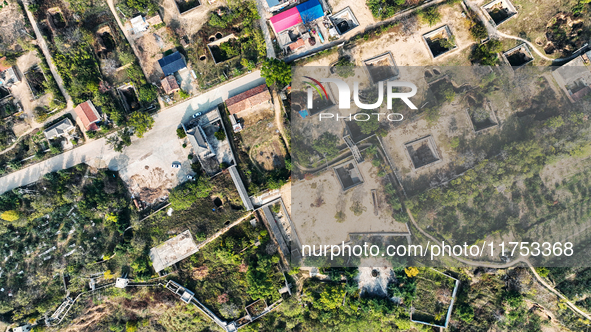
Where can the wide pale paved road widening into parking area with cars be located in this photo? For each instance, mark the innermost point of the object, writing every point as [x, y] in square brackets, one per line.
[155, 147]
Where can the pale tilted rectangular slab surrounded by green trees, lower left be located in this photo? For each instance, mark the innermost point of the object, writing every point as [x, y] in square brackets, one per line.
[173, 251]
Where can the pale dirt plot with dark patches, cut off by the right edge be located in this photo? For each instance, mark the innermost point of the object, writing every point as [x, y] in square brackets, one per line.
[574, 77]
